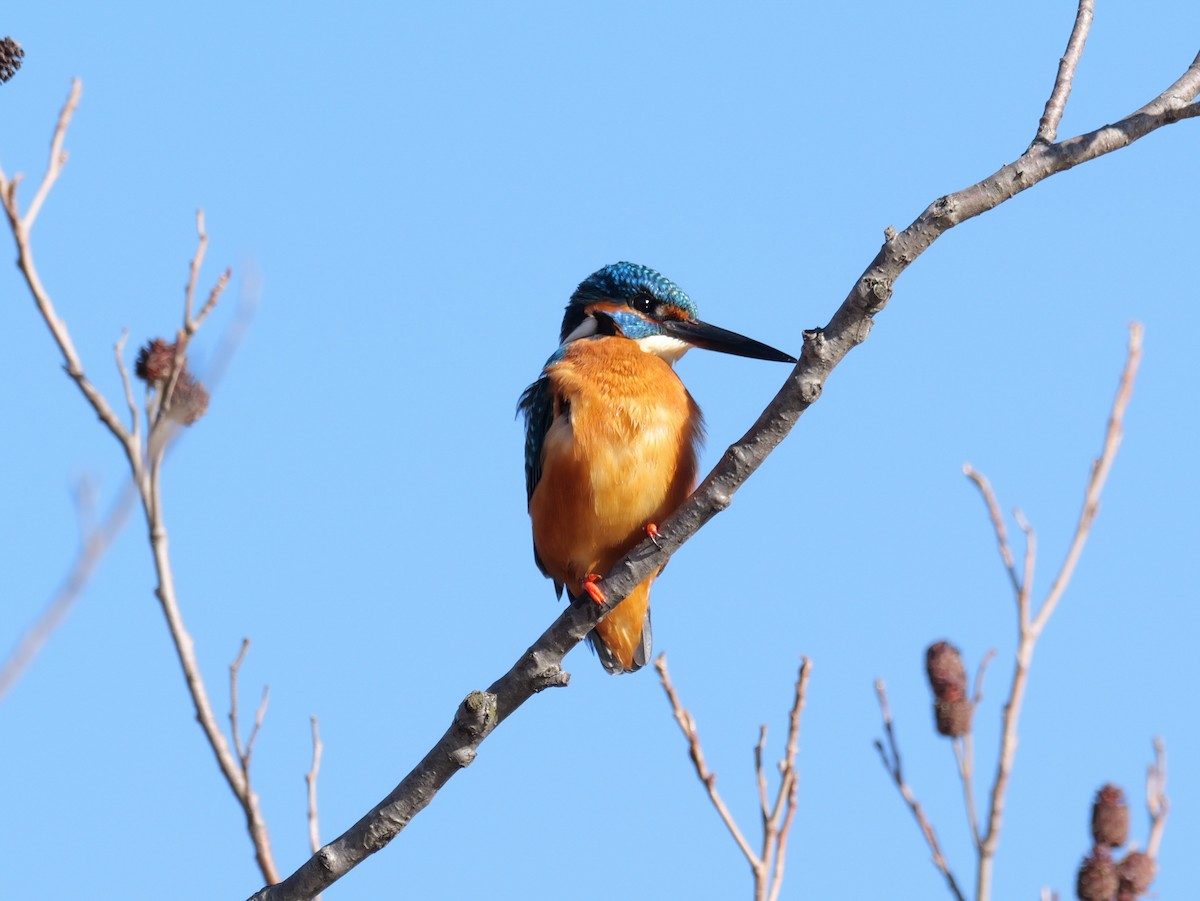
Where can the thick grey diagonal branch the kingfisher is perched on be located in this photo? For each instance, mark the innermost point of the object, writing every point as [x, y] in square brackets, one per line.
[541, 666]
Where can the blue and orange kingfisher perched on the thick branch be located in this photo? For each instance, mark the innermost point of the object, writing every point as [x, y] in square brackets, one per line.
[613, 440]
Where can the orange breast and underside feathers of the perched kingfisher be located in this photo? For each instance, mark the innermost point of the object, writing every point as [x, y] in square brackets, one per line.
[621, 454]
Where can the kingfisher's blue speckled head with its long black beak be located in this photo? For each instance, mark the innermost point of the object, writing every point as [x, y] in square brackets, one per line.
[637, 303]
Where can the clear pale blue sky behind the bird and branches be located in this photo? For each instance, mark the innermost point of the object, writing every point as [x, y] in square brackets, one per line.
[419, 189]
